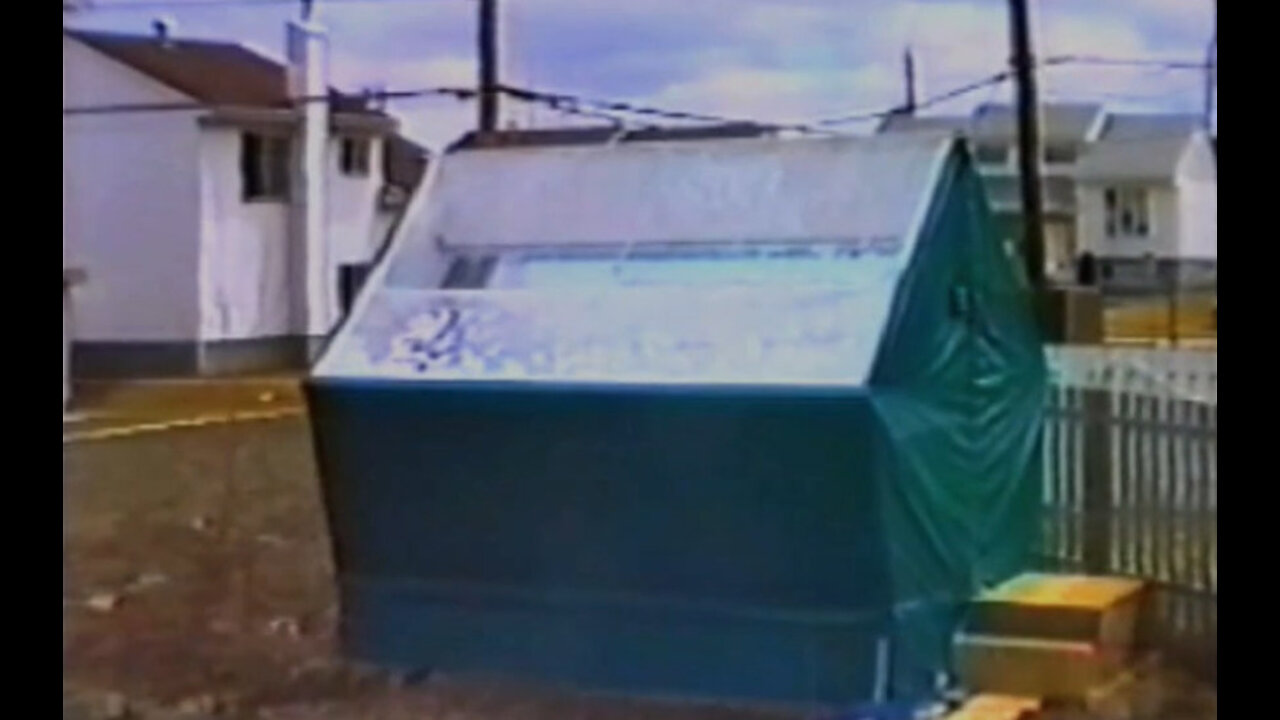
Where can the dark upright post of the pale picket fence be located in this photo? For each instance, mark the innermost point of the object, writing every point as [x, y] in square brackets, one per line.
[1098, 502]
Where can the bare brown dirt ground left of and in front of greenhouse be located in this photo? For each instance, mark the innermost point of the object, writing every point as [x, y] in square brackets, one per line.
[198, 582]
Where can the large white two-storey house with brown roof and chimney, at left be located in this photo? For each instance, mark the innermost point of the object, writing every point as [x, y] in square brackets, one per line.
[186, 200]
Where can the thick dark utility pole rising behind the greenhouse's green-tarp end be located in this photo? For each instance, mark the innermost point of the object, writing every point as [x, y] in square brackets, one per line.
[1028, 143]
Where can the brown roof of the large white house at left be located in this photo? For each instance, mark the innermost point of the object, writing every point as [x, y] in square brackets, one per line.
[212, 72]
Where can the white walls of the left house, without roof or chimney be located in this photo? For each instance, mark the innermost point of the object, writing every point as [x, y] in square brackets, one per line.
[188, 276]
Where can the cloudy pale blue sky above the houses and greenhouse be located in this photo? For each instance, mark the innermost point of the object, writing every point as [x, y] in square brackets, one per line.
[771, 61]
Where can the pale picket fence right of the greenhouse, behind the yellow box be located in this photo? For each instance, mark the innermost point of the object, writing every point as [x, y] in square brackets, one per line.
[1131, 481]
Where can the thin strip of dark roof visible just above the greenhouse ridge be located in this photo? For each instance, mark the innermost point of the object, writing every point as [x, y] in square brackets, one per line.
[551, 138]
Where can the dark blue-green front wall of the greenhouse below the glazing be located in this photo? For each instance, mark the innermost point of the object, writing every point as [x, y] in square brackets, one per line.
[701, 544]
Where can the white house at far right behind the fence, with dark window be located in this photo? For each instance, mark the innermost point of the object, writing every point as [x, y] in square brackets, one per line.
[1149, 206]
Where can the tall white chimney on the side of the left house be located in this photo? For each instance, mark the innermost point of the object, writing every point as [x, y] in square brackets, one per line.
[316, 299]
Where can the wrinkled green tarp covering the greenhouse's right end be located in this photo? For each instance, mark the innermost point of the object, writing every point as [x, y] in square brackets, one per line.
[959, 390]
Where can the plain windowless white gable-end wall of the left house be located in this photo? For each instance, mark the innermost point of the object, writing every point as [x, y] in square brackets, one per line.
[131, 202]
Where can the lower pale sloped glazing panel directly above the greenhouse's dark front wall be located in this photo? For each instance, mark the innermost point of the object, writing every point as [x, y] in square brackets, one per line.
[707, 336]
